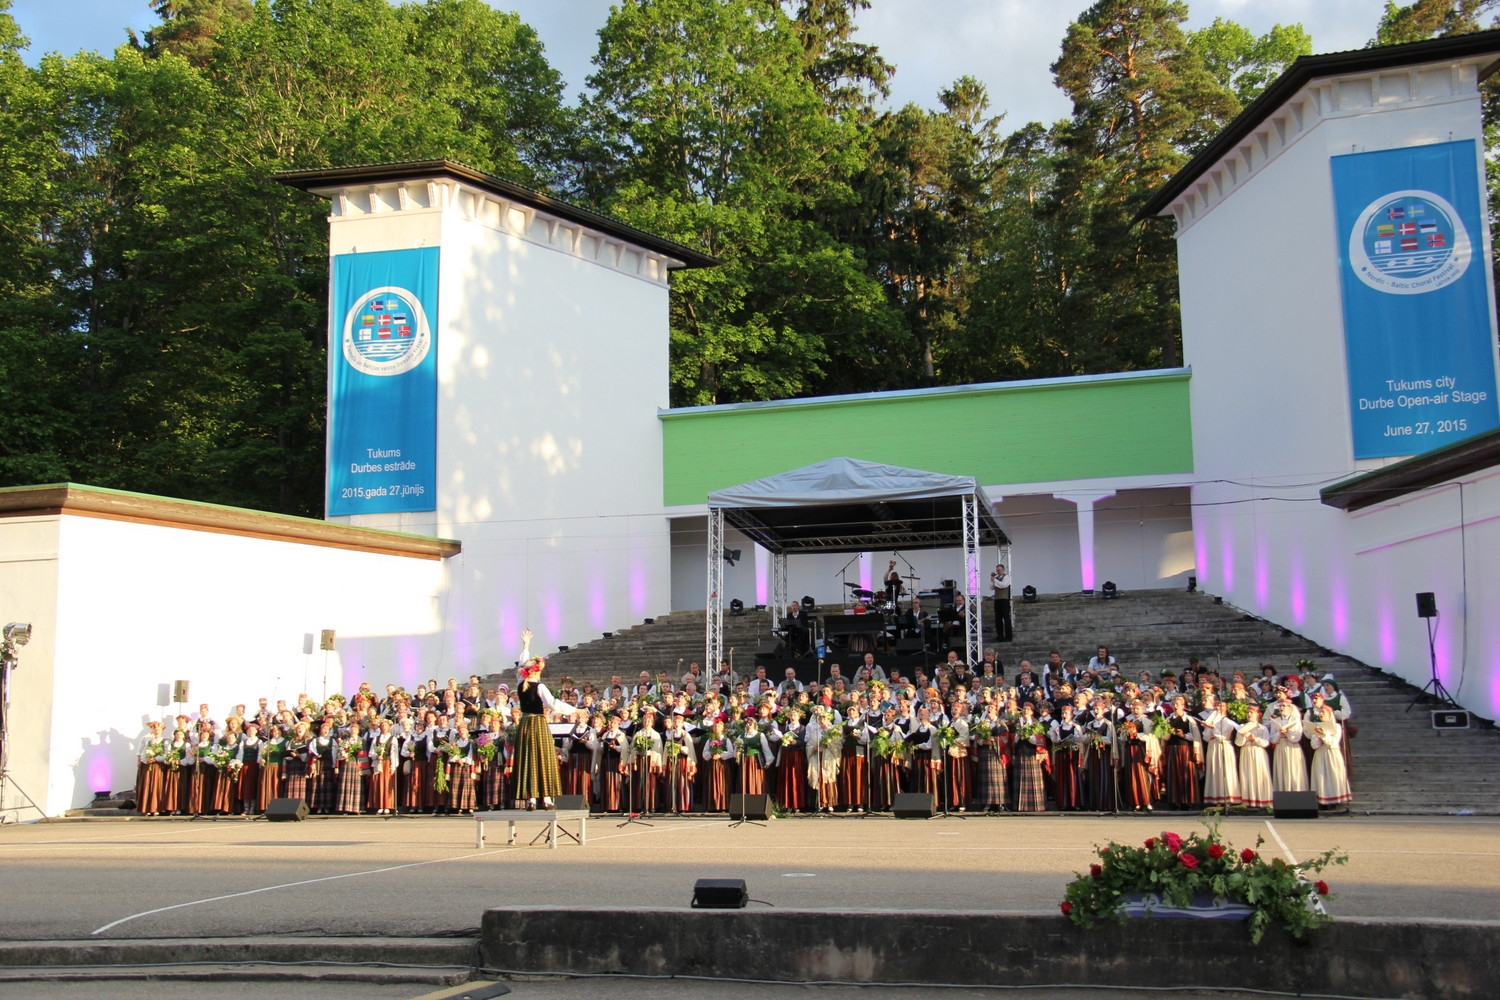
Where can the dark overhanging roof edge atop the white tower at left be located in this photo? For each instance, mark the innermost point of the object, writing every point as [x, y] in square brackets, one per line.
[323, 182]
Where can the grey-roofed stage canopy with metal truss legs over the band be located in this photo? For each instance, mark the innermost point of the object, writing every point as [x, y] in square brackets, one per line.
[851, 506]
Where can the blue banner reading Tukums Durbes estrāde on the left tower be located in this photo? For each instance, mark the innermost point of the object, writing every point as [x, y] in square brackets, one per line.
[383, 407]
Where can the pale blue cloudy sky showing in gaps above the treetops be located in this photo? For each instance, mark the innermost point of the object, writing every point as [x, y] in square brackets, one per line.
[1009, 44]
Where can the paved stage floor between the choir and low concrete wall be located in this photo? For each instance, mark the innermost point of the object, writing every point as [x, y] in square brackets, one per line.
[424, 876]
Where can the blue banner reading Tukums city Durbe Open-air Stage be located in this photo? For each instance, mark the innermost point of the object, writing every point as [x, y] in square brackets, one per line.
[1418, 325]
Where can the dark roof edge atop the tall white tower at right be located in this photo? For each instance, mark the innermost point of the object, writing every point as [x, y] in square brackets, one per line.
[1298, 76]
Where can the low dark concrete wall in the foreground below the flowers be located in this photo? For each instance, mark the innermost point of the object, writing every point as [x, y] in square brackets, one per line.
[1361, 959]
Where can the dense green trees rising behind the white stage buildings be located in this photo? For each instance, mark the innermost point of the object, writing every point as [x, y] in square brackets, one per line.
[169, 322]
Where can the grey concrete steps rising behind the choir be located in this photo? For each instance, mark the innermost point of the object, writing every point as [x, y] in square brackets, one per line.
[1402, 764]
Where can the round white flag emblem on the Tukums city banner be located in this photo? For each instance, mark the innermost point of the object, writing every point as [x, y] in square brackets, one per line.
[1408, 244]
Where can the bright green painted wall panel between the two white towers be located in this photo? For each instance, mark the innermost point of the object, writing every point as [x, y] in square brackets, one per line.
[1024, 433]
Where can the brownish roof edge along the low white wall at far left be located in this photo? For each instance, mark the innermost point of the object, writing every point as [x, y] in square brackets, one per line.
[95, 501]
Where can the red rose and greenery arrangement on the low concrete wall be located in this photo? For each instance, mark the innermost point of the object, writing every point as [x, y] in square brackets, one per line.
[1180, 869]
